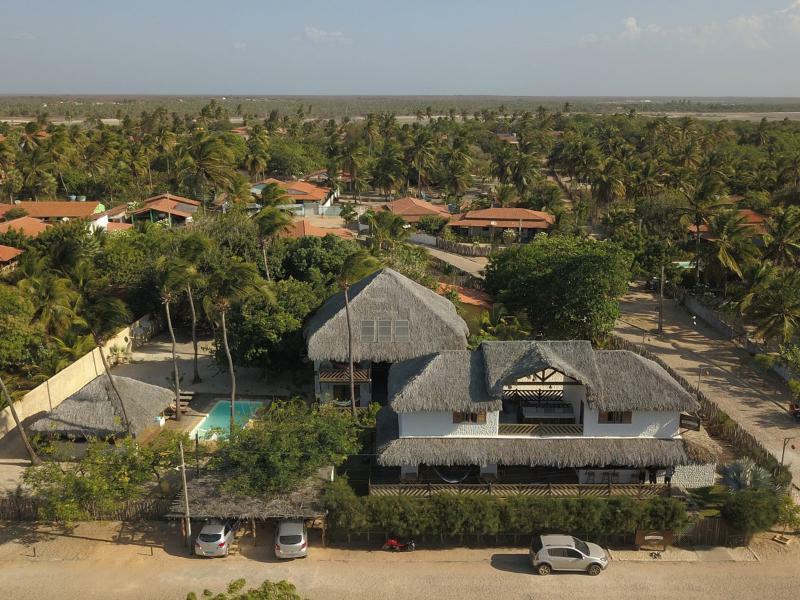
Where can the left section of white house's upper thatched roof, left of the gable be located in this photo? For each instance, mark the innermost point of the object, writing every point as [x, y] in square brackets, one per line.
[446, 381]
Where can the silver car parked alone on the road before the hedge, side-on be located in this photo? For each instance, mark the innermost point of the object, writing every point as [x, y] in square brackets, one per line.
[566, 553]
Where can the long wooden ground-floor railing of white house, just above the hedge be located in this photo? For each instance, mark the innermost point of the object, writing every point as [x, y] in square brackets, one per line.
[503, 490]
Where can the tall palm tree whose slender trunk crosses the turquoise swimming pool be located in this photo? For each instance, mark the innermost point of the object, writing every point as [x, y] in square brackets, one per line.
[226, 287]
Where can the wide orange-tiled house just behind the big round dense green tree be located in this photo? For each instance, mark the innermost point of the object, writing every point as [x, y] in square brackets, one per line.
[490, 223]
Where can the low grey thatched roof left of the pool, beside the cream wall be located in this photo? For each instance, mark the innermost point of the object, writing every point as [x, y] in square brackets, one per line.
[93, 411]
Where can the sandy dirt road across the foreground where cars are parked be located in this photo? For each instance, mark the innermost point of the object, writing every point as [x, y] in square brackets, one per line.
[109, 560]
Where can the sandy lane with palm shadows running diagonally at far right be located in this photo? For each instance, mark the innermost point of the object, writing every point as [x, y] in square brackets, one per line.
[757, 401]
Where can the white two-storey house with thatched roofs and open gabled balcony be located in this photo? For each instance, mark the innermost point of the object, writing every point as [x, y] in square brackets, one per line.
[552, 411]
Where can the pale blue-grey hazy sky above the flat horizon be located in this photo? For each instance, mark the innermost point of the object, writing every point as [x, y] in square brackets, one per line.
[363, 47]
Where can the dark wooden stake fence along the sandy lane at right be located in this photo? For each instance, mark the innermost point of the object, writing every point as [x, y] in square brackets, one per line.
[716, 420]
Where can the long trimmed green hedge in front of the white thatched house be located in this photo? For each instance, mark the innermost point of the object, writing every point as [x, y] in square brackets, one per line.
[448, 514]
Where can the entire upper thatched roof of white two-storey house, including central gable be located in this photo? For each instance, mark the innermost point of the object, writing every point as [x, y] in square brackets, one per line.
[613, 379]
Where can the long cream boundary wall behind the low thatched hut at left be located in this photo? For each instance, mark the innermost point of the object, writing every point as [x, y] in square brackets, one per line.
[49, 394]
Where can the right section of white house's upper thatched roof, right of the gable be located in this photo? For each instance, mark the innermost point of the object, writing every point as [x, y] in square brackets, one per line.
[632, 382]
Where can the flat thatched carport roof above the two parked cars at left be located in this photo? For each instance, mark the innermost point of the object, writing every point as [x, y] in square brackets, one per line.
[208, 500]
